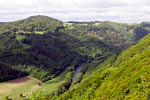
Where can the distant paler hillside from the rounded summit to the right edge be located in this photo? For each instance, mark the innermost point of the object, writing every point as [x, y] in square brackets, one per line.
[119, 35]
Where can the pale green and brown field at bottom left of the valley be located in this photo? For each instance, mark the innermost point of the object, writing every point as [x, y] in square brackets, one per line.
[13, 88]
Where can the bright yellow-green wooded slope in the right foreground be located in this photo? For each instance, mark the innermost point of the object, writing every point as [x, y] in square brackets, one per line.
[127, 79]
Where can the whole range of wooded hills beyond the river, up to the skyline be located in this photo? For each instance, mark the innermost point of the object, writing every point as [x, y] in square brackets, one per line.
[43, 46]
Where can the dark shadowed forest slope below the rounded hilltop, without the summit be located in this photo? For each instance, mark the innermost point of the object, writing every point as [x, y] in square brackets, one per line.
[53, 51]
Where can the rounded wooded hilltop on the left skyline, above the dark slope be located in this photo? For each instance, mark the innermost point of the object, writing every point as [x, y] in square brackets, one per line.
[32, 24]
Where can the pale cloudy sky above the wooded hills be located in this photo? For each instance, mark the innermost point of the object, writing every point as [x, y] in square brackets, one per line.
[126, 11]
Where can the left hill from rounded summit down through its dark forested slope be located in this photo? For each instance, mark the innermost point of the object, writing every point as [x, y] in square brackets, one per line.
[36, 46]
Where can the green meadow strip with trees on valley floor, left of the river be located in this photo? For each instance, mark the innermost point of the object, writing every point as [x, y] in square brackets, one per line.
[53, 88]
